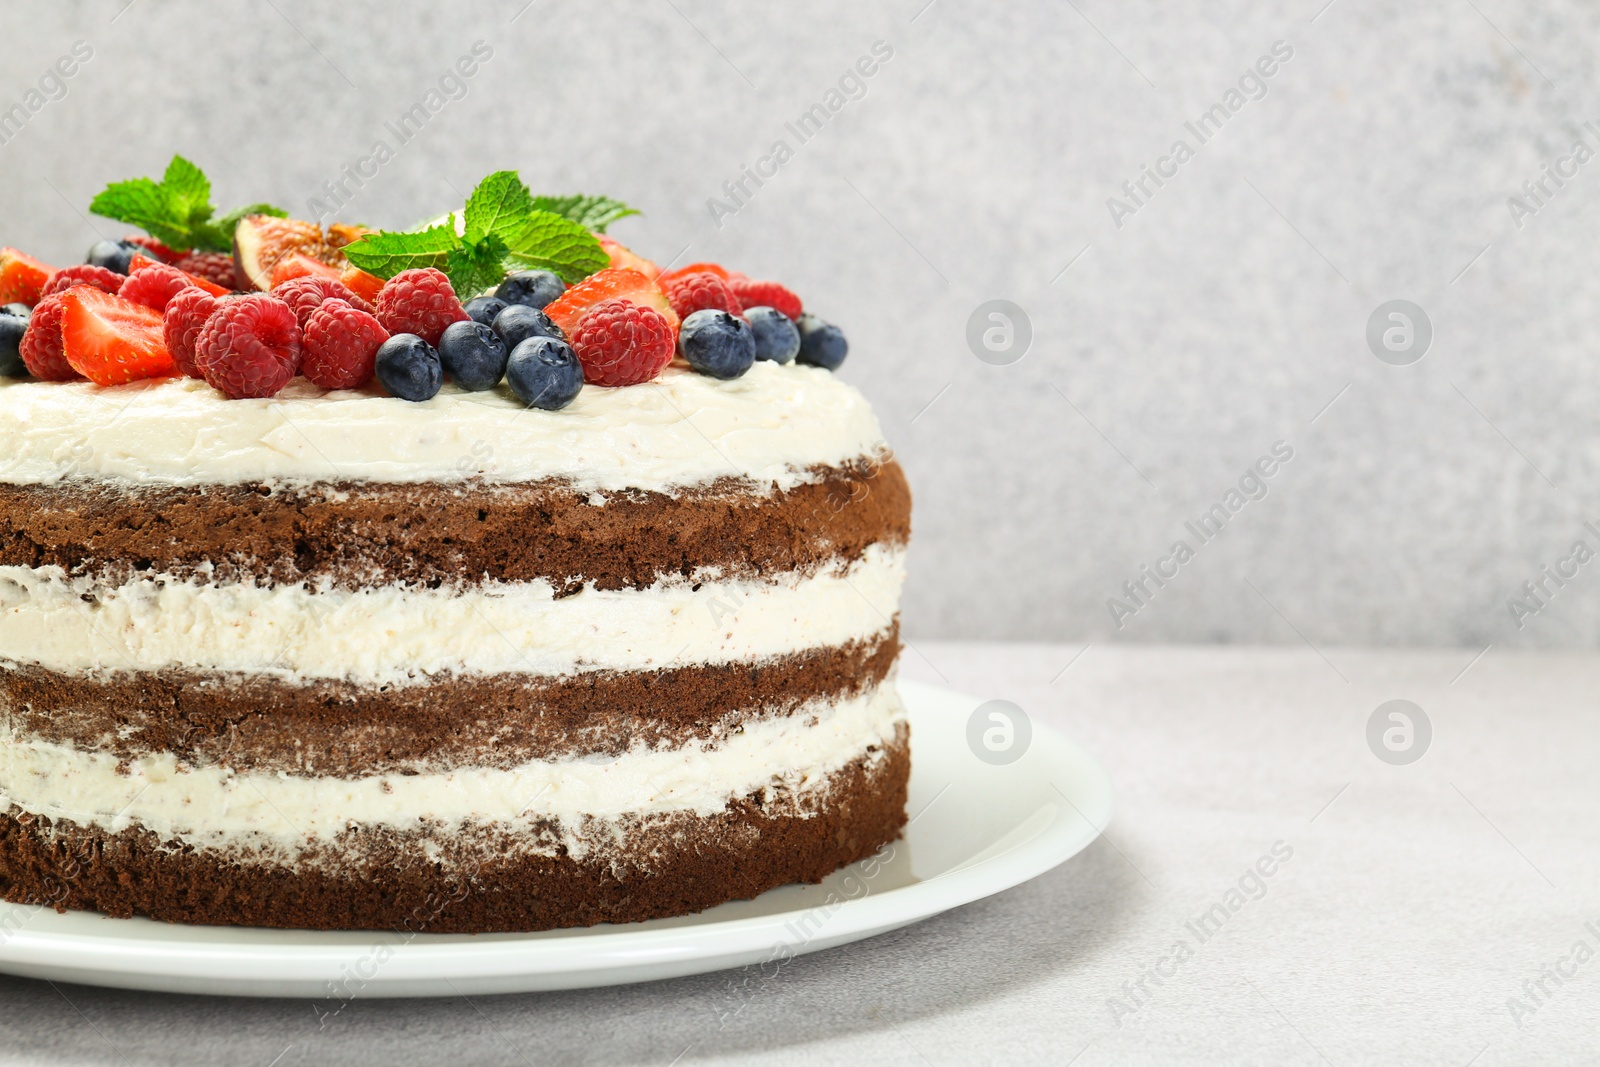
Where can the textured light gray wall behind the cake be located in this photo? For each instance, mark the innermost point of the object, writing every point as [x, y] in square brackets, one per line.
[1223, 316]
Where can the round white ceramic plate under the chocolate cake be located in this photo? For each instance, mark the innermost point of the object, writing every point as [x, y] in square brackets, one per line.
[977, 829]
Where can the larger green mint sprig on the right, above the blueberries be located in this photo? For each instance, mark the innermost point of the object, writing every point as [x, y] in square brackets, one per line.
[503, 228]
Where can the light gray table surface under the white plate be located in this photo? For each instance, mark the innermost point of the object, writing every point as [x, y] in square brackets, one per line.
[1417, 903]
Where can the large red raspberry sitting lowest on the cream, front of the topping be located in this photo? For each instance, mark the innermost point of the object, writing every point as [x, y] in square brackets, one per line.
[249, 346]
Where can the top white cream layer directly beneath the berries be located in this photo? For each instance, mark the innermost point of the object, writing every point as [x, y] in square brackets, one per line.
[682, 430]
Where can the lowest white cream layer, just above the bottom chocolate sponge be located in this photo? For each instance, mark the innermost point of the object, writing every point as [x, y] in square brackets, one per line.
[217, 809]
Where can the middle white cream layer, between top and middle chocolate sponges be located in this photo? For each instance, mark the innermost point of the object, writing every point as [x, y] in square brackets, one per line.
[398, 634]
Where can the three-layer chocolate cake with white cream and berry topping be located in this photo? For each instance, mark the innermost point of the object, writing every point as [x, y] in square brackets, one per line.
[489, 660]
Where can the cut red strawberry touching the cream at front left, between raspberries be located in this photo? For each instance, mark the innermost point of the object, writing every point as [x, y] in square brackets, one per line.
[113, 342]
